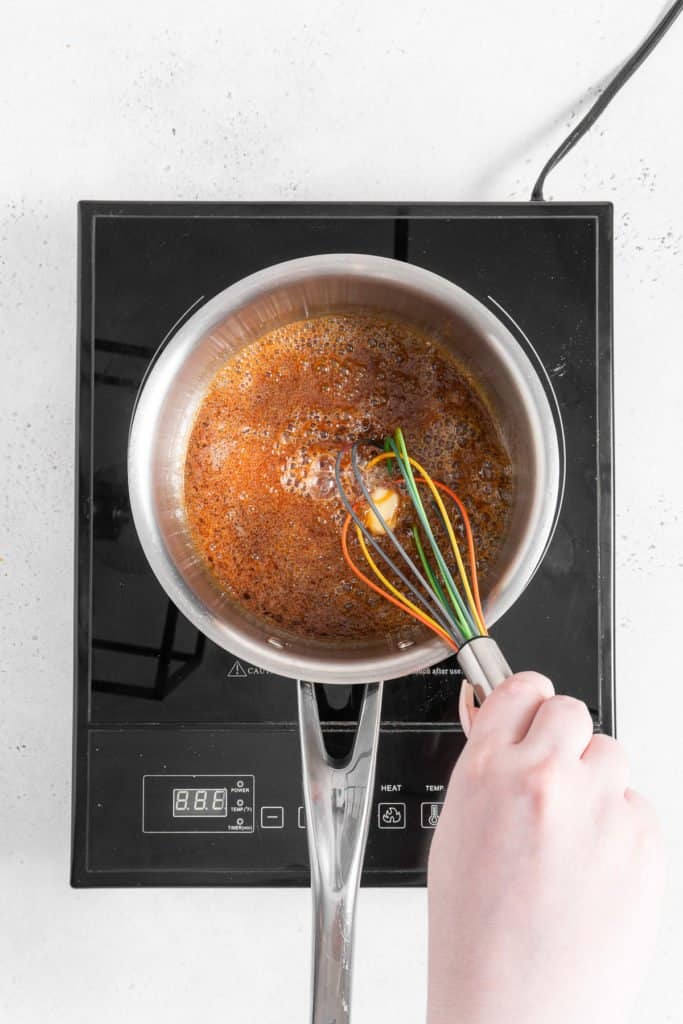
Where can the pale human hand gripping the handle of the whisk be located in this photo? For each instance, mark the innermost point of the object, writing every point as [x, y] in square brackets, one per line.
[545, 872]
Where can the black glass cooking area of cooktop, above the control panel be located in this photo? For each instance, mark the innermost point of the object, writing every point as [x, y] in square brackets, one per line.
[538, 274]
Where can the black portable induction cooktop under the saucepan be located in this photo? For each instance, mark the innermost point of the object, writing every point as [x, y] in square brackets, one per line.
[187, 759]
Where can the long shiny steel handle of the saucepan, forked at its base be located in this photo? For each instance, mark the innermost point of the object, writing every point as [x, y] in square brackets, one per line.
[338, 796]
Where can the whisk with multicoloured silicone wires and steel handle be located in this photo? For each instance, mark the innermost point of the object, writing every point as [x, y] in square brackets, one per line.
[426, 578]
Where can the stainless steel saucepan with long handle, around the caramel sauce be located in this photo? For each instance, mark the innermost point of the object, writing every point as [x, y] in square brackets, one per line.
[338, 794]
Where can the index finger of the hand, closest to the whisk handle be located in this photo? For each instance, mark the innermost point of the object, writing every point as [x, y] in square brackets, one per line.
[508, 713]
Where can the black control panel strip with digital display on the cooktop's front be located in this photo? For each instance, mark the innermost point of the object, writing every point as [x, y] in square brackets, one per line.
[207, 799]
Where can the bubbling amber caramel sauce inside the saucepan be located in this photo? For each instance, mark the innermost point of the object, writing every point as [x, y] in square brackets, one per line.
[260, 491]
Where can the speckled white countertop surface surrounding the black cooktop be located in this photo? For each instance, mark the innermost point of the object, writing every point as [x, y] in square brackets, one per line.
[379, 101]
